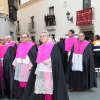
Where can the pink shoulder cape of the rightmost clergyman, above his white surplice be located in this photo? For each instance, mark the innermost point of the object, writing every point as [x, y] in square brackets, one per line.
[79, 47]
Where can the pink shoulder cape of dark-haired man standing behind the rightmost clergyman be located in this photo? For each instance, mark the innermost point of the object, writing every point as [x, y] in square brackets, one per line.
[69, 43]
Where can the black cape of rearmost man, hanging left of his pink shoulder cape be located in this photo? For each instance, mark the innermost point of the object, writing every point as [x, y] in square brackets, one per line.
[64, 54]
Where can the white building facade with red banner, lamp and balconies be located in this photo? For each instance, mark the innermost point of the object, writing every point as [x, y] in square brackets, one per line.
[69, 14]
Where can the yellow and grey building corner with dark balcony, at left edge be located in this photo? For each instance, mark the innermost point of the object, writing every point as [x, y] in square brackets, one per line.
[8, 14]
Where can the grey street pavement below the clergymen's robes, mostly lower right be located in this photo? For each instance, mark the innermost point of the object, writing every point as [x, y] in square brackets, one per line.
[93, 94]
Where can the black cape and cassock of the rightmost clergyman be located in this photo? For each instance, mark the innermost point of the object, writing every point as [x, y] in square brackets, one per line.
[77, 80]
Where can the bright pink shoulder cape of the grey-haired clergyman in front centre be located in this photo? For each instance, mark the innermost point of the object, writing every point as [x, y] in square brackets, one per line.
[44, 52]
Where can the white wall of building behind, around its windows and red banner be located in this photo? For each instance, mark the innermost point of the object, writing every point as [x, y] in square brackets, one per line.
[38, 10]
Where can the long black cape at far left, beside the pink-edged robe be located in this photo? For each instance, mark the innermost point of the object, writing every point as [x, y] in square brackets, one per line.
[8, 74]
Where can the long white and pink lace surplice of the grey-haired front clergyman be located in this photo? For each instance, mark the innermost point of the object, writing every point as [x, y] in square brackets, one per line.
[44, 80]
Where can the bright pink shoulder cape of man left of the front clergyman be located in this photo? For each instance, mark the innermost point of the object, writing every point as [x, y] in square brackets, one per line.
[23, 50]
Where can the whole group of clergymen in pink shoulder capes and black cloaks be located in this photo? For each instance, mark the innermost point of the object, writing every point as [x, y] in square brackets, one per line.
[45, 71]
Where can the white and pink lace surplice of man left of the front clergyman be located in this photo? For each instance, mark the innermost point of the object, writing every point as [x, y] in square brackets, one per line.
[22, 70]
